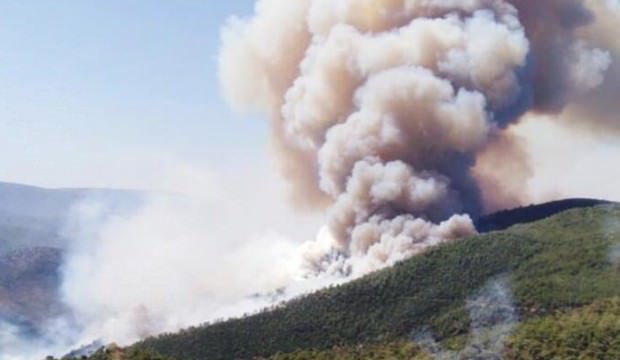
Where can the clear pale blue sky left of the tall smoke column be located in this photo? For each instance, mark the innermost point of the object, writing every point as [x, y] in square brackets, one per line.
[115, 93]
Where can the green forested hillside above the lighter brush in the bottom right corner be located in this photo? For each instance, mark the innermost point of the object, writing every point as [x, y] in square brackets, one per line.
[561, 263]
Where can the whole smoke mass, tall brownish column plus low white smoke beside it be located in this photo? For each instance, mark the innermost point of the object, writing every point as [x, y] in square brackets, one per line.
[401, 117]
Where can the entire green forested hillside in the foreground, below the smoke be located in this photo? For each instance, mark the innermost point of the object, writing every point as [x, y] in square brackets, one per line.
[548, 289]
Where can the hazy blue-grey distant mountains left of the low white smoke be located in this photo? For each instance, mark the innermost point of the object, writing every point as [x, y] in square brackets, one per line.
[32, 245]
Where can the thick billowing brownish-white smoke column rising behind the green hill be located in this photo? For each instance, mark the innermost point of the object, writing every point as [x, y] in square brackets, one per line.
[387, 110]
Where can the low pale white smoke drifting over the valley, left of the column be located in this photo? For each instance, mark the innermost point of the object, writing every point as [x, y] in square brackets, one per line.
[181, 260]
